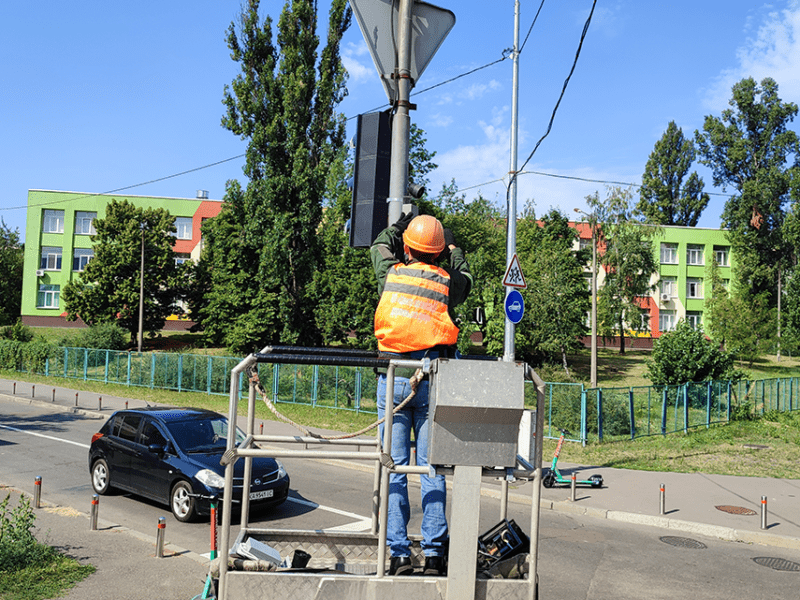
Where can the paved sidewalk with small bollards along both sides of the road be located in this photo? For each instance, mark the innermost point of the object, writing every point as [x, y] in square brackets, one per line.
[627, 496]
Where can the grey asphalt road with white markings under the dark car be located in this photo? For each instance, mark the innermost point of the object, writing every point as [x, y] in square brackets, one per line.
[580, 557]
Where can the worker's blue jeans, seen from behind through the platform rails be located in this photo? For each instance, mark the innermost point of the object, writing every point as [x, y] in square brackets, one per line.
[434, 491]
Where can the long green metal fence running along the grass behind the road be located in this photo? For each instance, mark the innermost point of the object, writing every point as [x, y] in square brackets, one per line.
[598, 414]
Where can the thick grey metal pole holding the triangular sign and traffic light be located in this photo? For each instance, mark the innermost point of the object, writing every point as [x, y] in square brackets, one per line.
[401, 122]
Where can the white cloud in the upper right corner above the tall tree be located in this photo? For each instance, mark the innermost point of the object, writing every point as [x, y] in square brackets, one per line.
[774, 51]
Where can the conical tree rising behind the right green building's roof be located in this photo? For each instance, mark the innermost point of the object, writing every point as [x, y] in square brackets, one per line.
[664, 197]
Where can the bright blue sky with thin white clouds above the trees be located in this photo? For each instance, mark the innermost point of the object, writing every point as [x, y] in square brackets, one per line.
[126, 98]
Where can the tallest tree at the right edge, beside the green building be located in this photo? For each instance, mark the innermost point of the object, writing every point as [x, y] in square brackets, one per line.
[751, 149]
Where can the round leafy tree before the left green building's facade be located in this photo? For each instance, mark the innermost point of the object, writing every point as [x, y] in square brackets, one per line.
[108, 289]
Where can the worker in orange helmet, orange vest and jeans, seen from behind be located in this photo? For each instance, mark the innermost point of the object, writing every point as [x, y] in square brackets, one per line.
[422, 275]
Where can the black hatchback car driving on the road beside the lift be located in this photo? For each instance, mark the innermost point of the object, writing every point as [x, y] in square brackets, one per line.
[172, 456]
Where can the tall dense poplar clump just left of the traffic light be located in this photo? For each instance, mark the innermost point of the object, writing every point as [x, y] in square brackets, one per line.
[266, 248]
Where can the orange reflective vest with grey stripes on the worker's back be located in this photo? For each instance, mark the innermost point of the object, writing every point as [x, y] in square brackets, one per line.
[412, 312]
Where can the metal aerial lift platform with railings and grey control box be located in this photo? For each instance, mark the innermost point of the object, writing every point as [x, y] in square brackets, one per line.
[476, 410]
